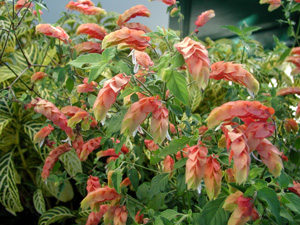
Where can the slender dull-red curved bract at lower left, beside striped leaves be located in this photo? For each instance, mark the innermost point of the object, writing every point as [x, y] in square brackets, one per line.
[53, 157]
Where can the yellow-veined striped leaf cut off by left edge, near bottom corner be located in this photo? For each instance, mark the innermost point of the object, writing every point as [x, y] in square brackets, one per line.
[9, 194]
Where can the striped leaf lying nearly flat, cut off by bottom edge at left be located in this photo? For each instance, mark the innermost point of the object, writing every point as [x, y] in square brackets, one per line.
[55, 214]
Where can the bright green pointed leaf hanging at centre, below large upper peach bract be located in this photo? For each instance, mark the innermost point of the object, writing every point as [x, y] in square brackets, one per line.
[176, 83]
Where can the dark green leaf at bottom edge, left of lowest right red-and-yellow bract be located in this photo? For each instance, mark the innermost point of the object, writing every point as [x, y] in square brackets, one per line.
[213, 212]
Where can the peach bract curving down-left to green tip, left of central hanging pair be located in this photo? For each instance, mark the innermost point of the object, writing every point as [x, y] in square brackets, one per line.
[137, 113]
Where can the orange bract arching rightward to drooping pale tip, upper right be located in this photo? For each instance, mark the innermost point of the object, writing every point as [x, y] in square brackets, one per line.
[236, 73]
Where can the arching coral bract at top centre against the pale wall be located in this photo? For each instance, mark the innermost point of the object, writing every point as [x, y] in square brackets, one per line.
[138, 10]
